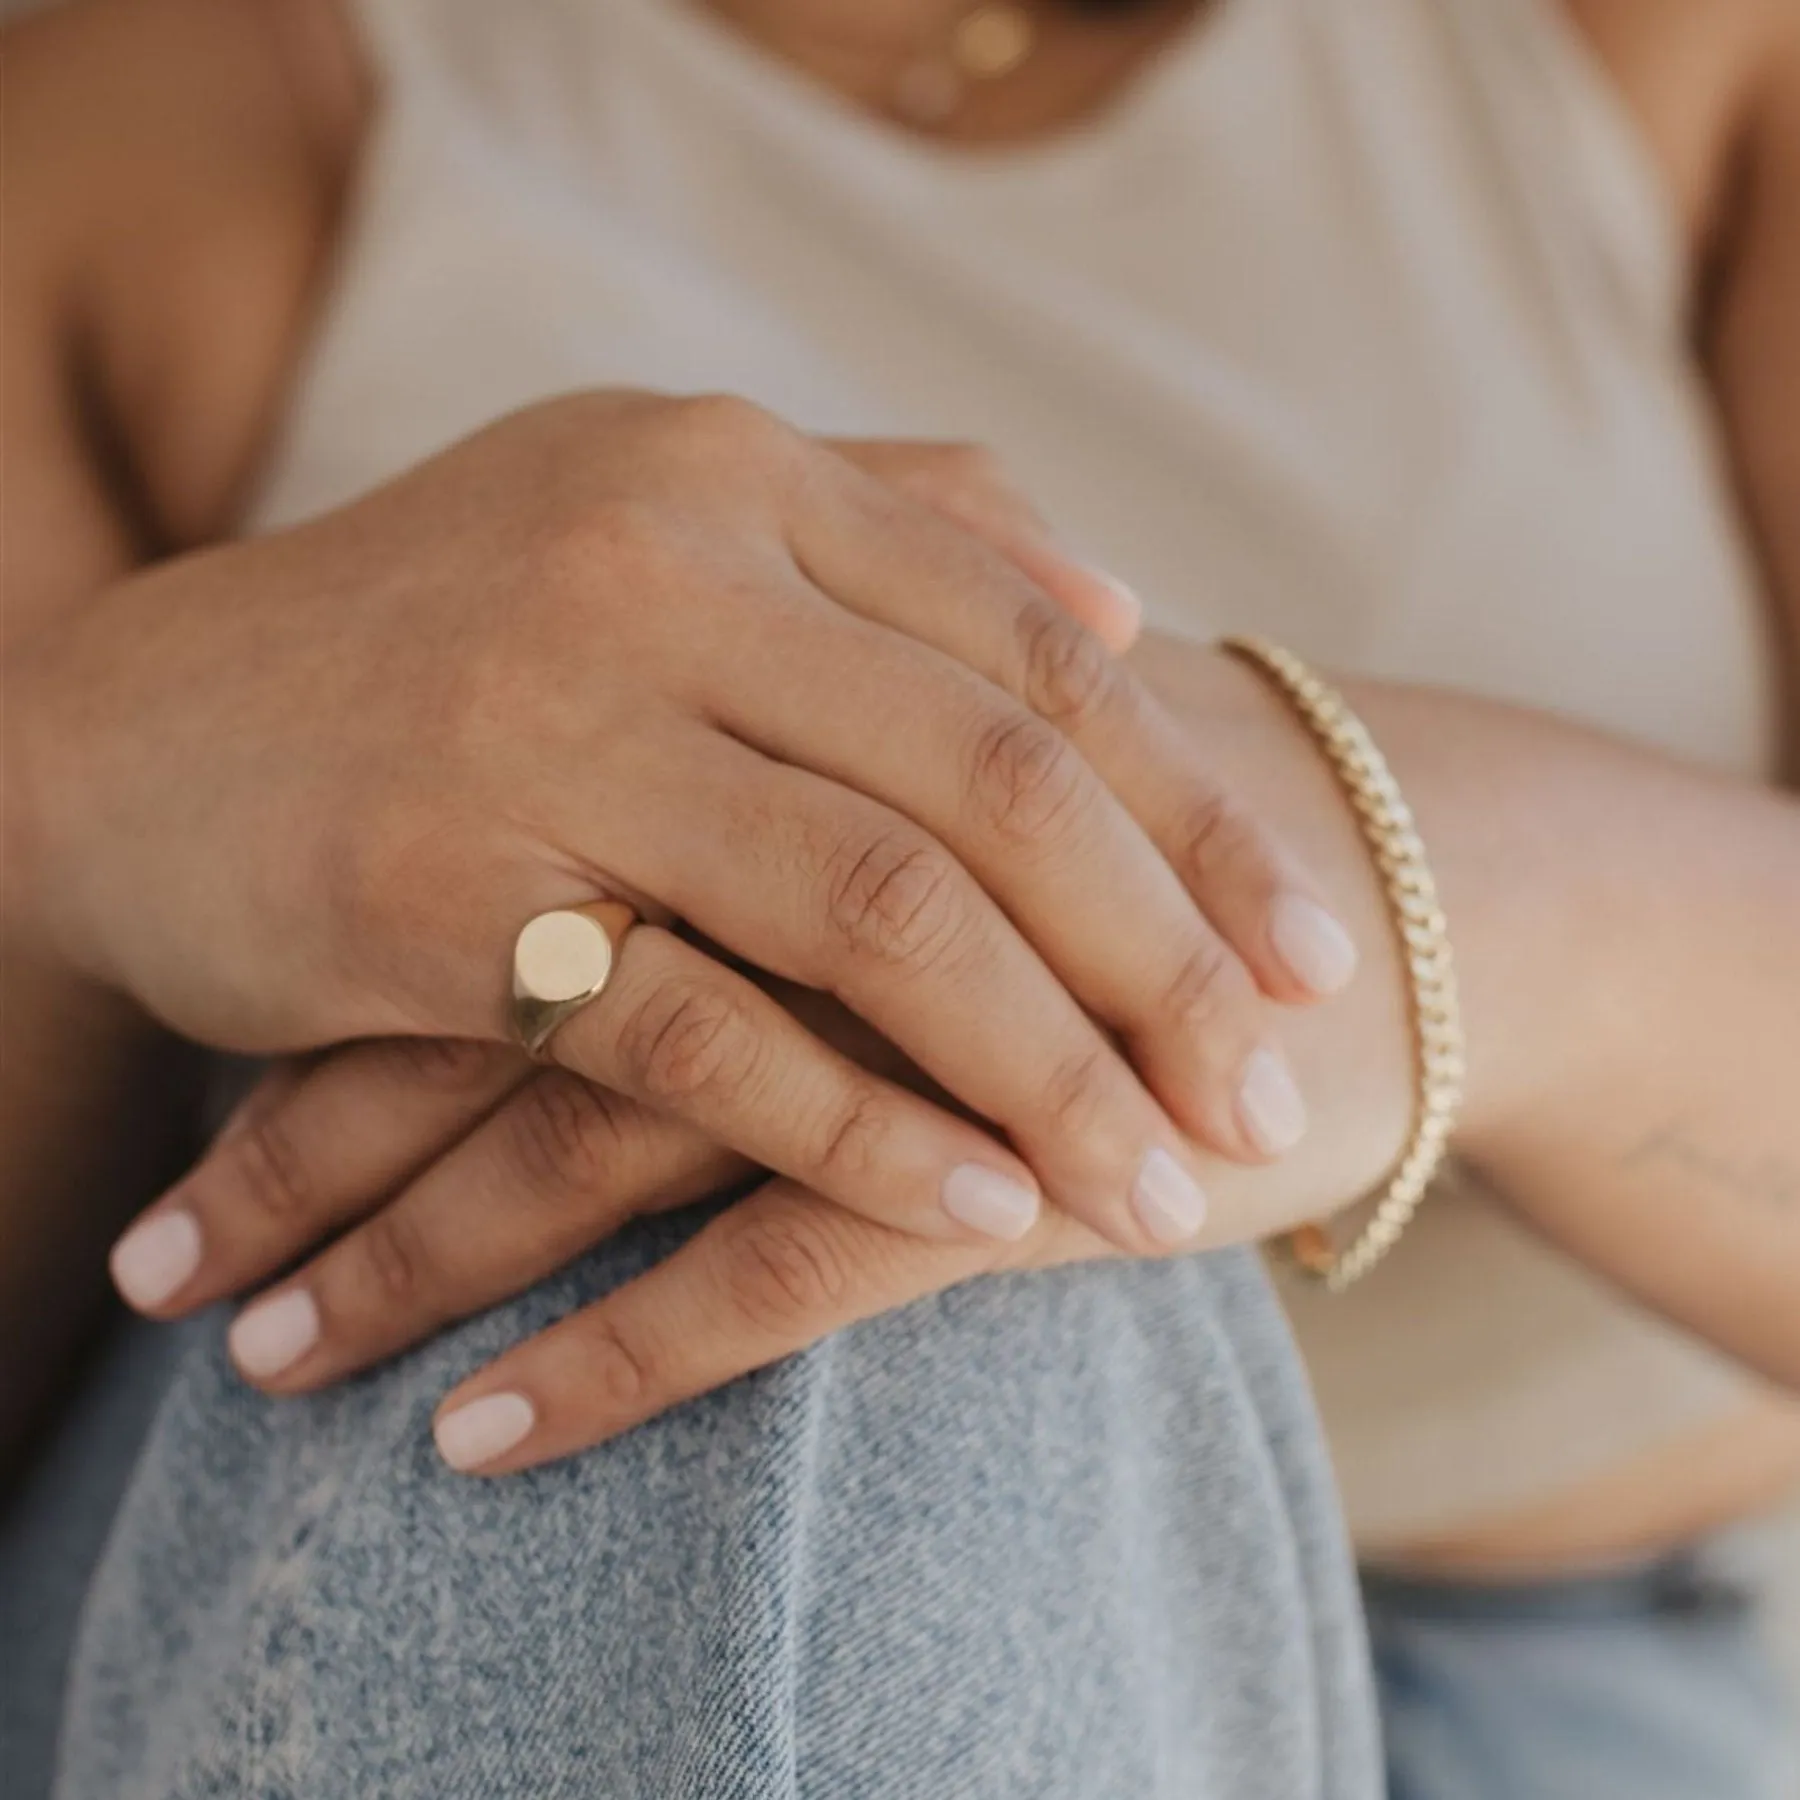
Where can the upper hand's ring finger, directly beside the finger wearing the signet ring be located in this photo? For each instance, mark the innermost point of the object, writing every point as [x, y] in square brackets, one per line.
[836, 892]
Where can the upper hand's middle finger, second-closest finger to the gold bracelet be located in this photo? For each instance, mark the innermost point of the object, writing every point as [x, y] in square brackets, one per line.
[1023, 811]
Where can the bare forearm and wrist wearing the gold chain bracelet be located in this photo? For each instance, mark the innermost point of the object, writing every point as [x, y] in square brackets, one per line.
[1626, 933]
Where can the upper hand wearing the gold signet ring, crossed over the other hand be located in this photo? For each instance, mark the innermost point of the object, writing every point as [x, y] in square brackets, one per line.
[309, 789]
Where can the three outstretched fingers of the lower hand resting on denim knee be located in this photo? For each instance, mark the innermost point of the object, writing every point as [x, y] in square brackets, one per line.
[467, 1173]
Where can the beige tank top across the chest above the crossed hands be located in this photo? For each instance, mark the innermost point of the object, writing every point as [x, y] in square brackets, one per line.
[1281, 370]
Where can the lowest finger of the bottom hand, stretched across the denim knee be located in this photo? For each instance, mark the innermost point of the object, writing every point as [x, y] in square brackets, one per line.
[769, 1277]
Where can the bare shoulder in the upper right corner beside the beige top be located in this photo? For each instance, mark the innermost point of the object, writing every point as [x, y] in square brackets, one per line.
[1696, 73]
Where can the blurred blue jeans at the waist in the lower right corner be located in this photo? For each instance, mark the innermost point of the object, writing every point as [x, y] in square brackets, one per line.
[1651, 1684]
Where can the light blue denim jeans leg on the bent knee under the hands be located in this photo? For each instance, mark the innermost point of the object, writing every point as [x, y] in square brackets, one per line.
[1047, 1538]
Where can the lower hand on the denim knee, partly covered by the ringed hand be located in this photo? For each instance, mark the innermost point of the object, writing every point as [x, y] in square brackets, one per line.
[458, 1174]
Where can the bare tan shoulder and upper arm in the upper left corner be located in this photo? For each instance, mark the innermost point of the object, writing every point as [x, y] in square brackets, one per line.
[172, 183]
